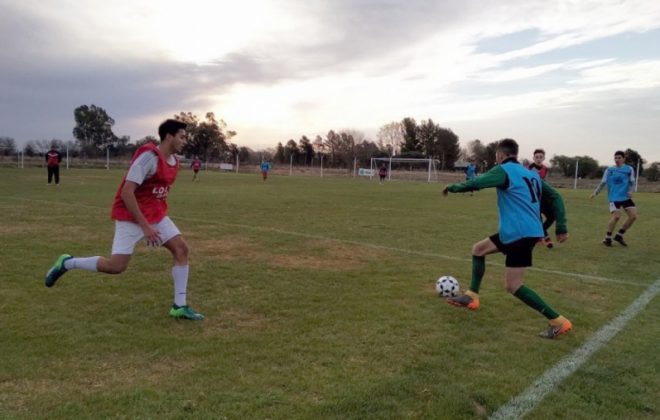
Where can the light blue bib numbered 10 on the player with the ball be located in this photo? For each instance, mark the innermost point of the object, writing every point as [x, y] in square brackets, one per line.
[519, 204]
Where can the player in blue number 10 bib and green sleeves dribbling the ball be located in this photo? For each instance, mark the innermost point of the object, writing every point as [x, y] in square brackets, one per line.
[519, 196]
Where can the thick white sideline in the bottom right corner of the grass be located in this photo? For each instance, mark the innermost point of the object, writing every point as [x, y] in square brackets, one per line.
[525, 402]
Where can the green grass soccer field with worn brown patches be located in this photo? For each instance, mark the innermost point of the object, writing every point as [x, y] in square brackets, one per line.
[319, 298]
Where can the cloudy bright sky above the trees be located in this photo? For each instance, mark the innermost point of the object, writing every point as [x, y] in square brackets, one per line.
[573, 77]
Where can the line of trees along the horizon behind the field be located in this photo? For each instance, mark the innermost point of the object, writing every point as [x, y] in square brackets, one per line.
[210, 139]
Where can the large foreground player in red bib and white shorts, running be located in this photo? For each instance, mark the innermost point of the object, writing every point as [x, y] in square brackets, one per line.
[140, 211]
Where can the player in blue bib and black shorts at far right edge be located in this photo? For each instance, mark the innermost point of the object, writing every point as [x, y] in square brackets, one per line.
[620, 181]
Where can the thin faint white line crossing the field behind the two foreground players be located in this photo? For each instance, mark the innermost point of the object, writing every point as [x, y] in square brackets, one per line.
[358, 243]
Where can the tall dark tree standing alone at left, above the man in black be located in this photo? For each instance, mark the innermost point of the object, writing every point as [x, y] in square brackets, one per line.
[93, 129]
